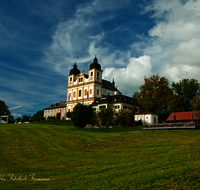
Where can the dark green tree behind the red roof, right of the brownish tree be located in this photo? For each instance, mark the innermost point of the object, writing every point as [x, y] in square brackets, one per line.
[187, 89]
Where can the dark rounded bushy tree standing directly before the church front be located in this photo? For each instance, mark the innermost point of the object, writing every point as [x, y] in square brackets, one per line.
[81, 115]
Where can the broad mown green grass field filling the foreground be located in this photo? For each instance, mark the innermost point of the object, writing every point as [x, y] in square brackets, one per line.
[59, 156]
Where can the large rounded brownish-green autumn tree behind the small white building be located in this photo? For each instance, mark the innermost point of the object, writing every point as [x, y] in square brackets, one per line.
[154, 93]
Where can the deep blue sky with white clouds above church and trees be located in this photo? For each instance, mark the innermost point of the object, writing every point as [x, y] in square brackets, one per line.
[40, 40]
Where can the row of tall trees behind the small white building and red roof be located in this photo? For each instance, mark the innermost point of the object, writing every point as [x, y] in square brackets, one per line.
[157, 94]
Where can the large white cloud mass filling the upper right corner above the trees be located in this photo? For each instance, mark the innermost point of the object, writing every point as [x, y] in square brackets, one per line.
[175, 39]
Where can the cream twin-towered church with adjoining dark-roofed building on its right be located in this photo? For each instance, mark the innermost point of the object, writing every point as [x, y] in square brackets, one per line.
[91, 89]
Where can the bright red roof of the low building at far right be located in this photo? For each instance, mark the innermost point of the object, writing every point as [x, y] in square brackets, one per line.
[183, 116]
